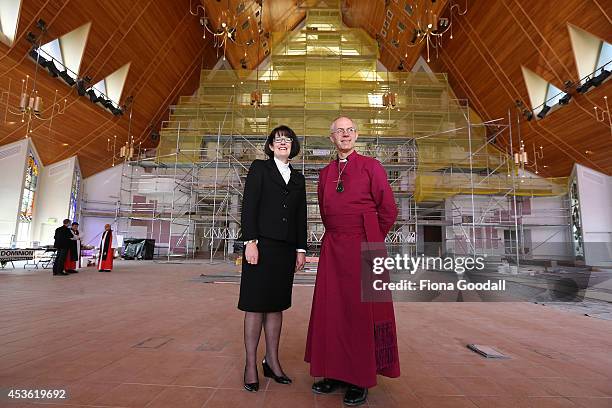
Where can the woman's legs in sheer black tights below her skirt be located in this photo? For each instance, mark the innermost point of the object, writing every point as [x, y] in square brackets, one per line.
[272, 324]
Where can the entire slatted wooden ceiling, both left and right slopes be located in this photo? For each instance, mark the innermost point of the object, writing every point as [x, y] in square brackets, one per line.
[164, 42]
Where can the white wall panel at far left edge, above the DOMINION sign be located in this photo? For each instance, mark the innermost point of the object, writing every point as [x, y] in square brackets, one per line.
[12, 167]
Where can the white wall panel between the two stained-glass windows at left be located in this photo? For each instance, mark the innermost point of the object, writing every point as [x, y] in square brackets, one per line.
[53, 200]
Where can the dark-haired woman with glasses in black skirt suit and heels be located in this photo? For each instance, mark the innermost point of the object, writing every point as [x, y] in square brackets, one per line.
[274, 231]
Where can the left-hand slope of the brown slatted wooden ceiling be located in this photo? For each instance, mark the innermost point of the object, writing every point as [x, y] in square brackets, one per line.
[161, 39]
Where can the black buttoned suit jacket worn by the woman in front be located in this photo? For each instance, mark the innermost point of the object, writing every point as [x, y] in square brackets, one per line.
[271, 208]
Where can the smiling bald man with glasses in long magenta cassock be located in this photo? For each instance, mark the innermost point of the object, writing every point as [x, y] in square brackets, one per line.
[350, 341]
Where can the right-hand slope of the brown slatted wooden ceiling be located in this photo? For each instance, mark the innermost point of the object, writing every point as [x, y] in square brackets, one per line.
[484, 60]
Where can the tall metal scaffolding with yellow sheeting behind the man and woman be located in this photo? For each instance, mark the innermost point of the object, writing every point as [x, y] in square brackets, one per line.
[188, 194]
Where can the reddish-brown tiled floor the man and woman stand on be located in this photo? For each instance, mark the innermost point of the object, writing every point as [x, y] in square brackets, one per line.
[147, 335]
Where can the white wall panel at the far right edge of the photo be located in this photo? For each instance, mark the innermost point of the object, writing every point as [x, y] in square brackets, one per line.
[595, 195]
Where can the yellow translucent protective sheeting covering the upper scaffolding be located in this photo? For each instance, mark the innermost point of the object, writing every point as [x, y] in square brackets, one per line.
[325, 69]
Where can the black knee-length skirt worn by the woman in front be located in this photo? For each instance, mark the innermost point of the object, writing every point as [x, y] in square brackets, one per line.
[266, 287]
